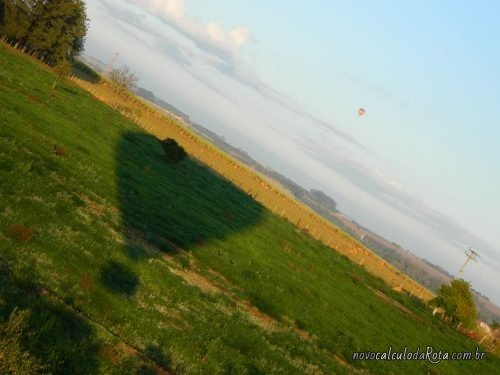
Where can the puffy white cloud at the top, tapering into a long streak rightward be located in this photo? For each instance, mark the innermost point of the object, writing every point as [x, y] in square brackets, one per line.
[216, 48]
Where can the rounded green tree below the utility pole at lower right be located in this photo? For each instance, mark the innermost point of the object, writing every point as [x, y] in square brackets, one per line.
[456, 299]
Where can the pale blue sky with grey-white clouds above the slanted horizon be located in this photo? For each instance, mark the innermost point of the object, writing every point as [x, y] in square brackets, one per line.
[284, 80]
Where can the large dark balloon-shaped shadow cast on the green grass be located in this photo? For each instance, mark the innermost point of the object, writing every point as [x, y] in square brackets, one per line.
[173, 205]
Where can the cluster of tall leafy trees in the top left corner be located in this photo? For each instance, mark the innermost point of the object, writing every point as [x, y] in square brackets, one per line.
[53, 30]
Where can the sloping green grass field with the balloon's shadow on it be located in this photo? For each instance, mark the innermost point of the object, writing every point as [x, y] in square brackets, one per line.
[124, 263]
